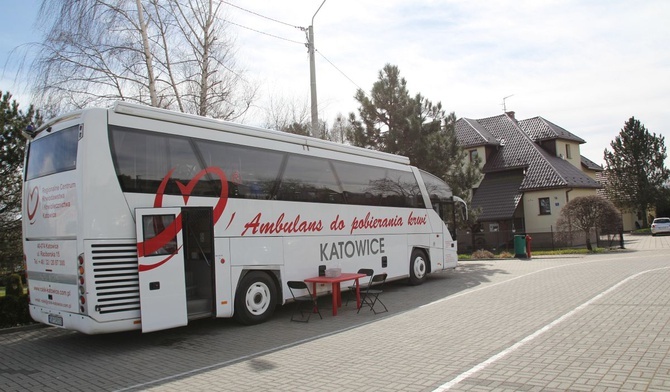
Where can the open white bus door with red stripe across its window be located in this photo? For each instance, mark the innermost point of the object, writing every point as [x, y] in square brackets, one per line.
[161, 268]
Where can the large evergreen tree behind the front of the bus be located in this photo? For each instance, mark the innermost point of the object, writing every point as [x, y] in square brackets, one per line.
[393, 121]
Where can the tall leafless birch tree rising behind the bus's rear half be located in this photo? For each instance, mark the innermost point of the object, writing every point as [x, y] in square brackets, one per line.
[164, 53]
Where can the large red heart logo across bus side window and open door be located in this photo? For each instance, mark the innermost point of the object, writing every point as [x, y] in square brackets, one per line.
[166, 235]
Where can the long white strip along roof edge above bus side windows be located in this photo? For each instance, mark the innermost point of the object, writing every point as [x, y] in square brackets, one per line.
[220, 125]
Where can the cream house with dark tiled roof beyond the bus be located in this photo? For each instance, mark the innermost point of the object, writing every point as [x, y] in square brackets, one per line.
[531, 169]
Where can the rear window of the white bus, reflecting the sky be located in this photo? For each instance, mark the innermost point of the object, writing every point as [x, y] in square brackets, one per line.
[52, 154]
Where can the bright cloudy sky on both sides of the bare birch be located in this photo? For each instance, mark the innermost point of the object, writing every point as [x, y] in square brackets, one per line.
[587, 66]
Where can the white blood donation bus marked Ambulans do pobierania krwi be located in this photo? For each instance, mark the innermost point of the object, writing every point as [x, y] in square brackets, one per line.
[141, 218]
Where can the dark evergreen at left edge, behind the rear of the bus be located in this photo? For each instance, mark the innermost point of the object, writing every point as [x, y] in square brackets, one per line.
[12, 145]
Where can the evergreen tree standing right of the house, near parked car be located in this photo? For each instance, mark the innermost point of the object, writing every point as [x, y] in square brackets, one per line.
[635, 168]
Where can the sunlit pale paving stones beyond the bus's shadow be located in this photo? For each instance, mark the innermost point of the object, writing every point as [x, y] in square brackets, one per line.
[619, 341]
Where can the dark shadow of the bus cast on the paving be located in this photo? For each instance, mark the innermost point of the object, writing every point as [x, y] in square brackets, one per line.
[135, 360]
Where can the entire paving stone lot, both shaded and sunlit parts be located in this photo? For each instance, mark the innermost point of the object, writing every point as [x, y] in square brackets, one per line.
[579, 323]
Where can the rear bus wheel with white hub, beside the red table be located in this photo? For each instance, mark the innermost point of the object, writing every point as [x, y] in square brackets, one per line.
[256, 298]
